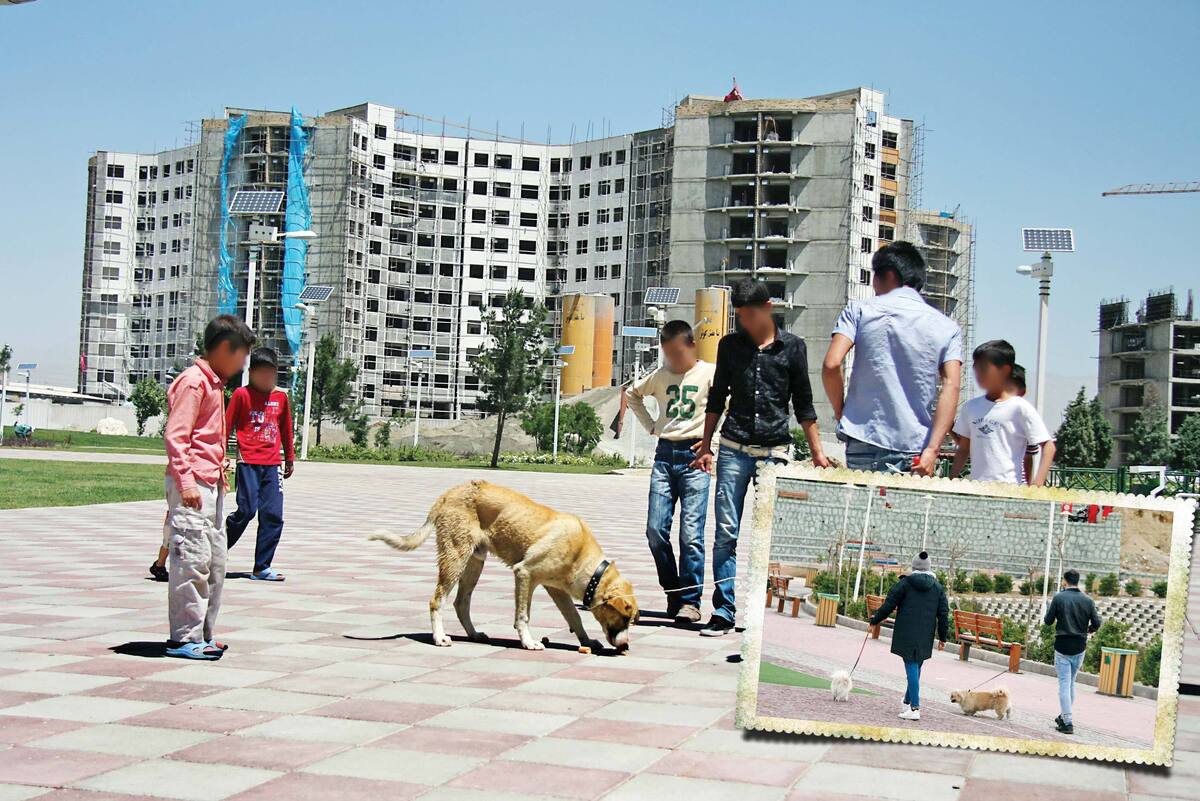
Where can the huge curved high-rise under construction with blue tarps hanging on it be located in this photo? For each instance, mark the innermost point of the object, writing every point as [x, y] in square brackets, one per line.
[424, 225]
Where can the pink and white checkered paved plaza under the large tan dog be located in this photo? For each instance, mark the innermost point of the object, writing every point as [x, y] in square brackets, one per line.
[332, 689]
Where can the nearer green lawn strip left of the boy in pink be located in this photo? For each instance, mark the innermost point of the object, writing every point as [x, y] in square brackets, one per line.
[44, 483]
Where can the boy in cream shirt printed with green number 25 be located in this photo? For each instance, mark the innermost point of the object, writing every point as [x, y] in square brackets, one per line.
[681, 392]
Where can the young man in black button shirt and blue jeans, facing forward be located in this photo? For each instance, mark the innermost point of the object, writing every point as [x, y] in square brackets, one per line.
[759, 371]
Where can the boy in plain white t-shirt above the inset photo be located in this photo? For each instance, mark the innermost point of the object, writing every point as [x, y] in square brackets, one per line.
[997, 429]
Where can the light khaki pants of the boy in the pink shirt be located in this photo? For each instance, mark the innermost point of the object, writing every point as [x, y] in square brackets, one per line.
[197, 563]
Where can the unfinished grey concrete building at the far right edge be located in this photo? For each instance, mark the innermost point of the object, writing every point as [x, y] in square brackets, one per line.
[1149, 358]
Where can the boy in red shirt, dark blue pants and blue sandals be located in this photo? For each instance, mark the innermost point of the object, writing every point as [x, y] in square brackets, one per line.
[262, 417]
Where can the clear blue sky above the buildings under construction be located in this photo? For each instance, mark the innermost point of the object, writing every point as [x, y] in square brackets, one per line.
[1033, 110]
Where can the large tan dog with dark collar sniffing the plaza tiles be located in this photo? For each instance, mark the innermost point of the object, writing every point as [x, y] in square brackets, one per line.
[543, 547]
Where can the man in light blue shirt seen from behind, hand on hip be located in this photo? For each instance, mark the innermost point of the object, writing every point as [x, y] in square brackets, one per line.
[903, 347]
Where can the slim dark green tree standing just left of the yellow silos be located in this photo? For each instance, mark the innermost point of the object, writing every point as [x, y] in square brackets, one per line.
[511, 365]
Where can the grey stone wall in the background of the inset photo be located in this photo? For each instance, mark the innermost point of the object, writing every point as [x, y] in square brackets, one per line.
[993, 534]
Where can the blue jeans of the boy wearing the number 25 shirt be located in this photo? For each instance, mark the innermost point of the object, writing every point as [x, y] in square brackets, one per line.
[673, 480]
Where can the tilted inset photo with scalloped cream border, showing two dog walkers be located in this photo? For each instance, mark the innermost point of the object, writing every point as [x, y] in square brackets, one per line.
[833, 551]
